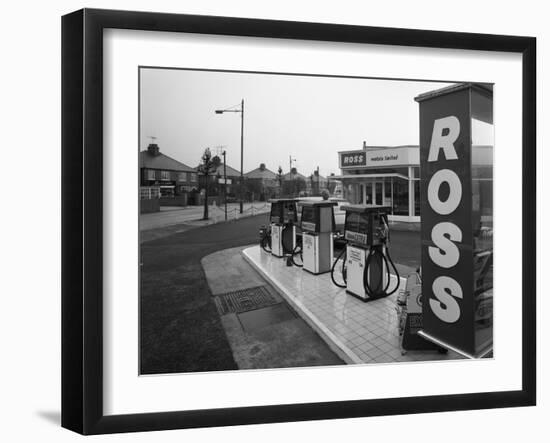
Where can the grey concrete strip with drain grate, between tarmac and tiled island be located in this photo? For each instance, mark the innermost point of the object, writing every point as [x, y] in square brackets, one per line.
[263, 335]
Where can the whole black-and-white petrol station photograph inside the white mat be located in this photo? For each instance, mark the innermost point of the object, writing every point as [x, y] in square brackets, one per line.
[289, 220]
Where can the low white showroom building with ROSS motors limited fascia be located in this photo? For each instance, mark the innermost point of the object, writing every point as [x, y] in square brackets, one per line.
[383, 175]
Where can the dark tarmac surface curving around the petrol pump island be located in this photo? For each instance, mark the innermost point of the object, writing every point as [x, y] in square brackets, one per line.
[180, 329]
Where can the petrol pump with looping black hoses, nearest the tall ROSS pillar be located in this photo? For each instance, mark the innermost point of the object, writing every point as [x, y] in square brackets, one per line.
[366, 260]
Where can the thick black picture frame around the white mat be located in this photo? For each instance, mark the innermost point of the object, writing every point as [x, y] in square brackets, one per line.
[82, 215]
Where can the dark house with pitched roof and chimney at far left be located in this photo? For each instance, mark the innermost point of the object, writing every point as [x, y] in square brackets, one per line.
[160, 171]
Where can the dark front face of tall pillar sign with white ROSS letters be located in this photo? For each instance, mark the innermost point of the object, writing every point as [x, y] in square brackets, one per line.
[447, 210]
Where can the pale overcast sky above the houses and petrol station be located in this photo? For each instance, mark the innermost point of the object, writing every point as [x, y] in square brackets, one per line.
[310, 118]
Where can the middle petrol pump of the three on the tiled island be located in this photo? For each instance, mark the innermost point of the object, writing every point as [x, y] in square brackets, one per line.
[317, 225]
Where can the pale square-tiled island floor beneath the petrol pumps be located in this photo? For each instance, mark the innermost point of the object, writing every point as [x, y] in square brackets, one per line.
[364, 332]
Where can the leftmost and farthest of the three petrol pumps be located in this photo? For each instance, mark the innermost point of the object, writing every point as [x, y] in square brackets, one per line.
[282, 220]
